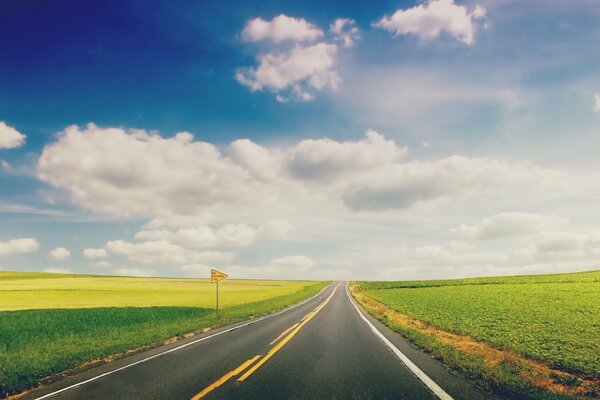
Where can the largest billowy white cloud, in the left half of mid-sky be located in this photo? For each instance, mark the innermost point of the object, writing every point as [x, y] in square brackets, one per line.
[135, 173]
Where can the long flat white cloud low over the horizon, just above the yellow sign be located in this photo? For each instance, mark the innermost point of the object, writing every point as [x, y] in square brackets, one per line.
[163, 251]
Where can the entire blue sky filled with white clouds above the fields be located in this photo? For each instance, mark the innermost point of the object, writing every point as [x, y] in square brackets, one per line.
[300, 139]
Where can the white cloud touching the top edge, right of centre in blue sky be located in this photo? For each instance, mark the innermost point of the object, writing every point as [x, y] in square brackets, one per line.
[433, 18]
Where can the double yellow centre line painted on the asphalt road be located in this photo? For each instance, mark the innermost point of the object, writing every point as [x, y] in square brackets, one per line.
[290, 332]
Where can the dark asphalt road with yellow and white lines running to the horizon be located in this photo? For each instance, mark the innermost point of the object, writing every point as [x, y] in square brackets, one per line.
[321, 349]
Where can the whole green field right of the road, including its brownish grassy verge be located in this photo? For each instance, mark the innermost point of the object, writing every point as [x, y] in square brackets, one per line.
[532, 337]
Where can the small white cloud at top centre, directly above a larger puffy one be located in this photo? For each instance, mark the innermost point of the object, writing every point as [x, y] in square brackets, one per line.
[279, 29]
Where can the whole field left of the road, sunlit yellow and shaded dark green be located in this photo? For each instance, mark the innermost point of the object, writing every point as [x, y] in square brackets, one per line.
[51, 322]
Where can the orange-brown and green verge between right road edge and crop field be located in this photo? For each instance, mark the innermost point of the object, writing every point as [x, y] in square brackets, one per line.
[503, 372]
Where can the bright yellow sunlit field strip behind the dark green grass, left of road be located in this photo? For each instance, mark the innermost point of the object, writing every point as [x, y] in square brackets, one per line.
[25, 291]
